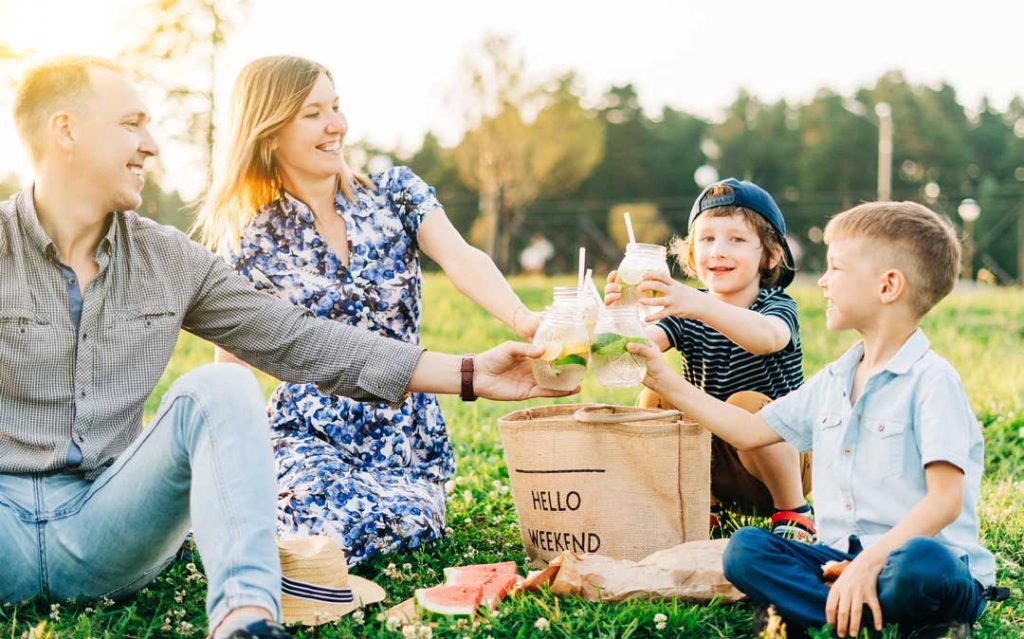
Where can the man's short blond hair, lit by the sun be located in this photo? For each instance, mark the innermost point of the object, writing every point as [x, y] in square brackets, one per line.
[55, 86]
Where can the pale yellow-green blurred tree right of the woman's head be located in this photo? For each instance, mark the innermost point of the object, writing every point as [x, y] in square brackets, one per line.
[524, 142]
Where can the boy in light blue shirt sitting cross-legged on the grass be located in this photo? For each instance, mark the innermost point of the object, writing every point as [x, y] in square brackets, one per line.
[899, 453]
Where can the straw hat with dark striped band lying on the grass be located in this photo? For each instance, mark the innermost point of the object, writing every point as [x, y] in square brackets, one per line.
[316, 585]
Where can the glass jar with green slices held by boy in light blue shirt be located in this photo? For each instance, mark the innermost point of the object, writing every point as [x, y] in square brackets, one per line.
[614, 365]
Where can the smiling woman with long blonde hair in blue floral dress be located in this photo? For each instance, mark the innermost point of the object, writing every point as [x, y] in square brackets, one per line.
[291, 216]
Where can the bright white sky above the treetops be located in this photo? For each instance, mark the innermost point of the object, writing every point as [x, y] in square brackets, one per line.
[396, 62]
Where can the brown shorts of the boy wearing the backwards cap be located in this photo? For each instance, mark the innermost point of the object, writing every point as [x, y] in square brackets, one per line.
[732, 484]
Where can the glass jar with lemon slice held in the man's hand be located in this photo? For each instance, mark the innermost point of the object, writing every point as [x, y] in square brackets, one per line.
[567, 354]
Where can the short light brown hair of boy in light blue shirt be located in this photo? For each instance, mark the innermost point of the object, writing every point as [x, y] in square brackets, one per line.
[924, 245]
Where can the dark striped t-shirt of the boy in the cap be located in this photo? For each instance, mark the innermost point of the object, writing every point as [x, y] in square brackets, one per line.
[716, 365]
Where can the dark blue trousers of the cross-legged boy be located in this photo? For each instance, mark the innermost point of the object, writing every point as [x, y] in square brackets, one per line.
[922, 583]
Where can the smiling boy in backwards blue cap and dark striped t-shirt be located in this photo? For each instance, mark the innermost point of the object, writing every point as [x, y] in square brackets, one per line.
[740, 342]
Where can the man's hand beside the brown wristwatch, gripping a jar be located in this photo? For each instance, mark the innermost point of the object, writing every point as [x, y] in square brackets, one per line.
[504, 373]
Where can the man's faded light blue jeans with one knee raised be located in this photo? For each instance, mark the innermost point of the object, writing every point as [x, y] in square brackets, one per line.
[204, 462]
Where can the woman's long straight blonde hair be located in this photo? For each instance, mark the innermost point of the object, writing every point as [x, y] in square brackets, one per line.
[268, 95]
